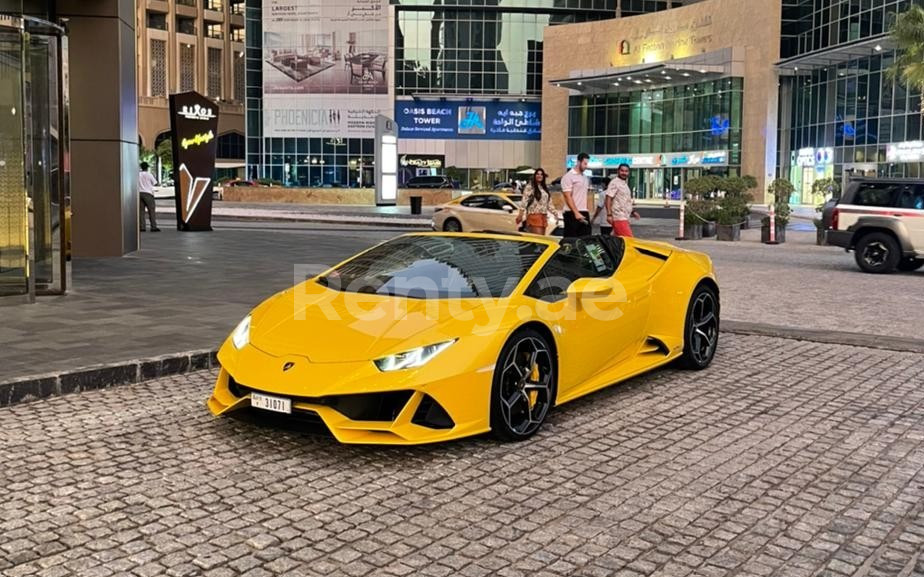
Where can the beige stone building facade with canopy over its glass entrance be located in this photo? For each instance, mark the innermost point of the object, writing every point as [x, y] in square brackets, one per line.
[674, 95]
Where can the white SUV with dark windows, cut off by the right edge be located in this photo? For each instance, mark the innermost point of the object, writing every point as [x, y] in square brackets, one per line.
[882, 221]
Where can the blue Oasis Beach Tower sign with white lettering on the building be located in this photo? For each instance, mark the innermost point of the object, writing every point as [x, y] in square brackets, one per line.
[474, 120]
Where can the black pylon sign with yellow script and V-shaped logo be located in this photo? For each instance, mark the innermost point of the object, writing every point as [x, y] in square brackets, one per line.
[194, 125]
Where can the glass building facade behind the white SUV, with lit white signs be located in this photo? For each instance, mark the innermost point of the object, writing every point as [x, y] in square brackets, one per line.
[840, 114]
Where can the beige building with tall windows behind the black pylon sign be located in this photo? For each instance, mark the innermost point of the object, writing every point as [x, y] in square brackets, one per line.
[186, 45]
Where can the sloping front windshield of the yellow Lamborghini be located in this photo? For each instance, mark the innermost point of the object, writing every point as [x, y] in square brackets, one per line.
[437, 267]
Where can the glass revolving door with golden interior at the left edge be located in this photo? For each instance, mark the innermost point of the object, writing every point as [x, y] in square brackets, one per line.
[34, 175]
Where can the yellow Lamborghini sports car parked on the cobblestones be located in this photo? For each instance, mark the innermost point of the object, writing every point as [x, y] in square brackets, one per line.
[436, 336]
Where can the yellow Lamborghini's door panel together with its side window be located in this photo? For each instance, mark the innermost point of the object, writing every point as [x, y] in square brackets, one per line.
[592, 337]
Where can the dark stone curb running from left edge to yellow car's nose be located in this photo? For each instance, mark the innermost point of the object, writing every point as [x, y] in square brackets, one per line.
[103, 376]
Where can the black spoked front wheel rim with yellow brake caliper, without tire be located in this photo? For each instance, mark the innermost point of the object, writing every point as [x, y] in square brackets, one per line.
[526, 386]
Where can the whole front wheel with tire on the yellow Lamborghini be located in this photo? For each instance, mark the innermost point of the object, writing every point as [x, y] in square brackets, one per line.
[524, 386]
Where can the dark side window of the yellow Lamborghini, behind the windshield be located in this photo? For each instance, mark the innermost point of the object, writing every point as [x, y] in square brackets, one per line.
[576, 258]
